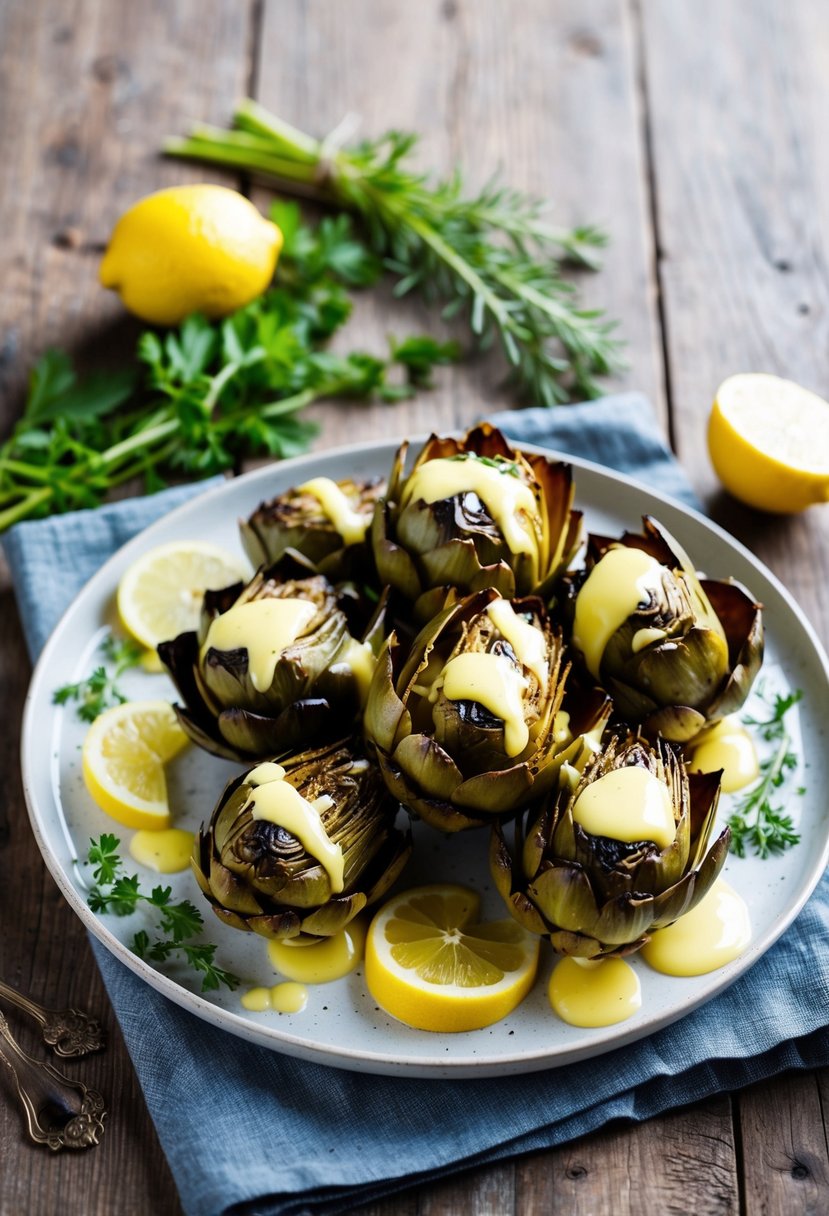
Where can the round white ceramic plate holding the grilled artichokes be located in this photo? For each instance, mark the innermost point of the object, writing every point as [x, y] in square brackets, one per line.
[342, 1024]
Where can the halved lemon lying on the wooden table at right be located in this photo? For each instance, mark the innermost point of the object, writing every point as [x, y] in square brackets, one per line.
[769, 441]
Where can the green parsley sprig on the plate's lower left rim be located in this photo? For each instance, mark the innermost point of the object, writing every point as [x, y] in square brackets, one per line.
[121, 894]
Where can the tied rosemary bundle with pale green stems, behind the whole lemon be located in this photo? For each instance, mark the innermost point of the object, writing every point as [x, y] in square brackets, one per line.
[492, 256]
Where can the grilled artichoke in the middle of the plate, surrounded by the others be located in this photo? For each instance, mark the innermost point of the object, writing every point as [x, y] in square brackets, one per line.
[469, 725]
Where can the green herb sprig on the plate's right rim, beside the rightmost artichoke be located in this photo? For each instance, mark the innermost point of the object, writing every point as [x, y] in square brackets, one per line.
[760, 823]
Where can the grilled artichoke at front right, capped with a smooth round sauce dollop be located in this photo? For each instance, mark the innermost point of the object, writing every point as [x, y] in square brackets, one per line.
[619, 853]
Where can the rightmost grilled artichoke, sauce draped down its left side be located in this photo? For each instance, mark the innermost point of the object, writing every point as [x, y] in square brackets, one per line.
[674, 651]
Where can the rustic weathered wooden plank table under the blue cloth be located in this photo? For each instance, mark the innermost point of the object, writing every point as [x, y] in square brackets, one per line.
[697, 134]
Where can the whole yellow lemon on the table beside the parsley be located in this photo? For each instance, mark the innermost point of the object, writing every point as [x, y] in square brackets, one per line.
[199, 249]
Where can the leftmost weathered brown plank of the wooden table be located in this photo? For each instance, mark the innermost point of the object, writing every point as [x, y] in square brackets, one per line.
[87, 93]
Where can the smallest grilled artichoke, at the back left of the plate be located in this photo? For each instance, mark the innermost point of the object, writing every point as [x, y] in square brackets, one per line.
[325, 521]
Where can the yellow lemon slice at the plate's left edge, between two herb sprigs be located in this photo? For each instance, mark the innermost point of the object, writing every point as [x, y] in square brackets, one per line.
[123, 759]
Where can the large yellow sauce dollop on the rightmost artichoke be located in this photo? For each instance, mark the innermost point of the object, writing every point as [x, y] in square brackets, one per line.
[619, 584]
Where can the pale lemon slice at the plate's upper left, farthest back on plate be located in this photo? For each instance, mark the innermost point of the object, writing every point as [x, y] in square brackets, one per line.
[160, 596]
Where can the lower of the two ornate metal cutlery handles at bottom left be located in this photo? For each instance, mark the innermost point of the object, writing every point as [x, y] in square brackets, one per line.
[60, 1112]
